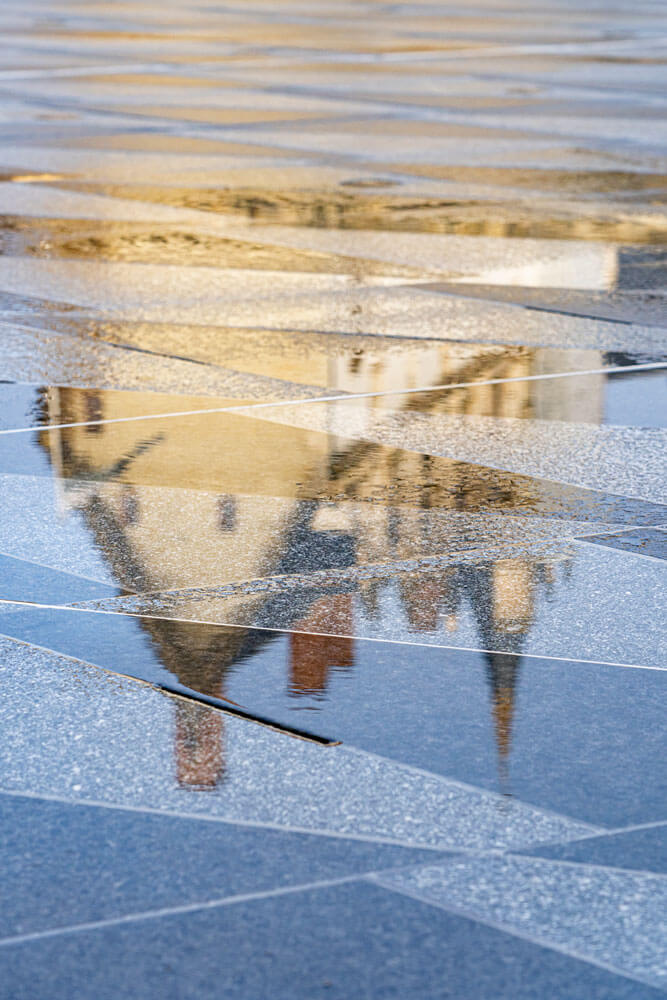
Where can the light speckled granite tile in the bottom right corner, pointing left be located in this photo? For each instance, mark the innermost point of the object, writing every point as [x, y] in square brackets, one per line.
[612, 918]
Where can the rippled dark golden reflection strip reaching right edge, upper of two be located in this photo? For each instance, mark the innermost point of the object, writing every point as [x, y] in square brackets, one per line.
[346, 208]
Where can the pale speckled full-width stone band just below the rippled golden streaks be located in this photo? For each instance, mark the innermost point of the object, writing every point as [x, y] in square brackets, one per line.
[339, 304]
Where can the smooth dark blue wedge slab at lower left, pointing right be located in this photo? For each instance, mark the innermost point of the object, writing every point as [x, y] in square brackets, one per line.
[64, 863]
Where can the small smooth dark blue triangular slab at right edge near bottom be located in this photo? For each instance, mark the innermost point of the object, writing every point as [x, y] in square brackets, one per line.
[643, 849]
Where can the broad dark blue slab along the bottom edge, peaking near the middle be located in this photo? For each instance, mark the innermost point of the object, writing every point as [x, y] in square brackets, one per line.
[349, 941]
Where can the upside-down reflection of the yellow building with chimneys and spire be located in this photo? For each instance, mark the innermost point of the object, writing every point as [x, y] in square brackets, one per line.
[218, 498]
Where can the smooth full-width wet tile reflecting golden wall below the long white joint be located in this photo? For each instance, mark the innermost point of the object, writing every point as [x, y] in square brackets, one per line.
[230, 455]
